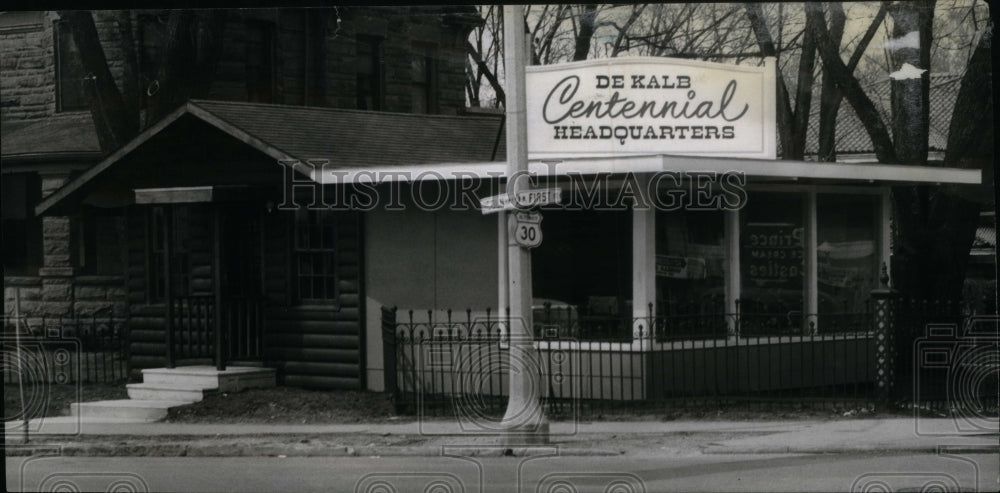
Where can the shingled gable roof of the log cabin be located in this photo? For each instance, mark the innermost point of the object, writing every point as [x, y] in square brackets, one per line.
[348, 139]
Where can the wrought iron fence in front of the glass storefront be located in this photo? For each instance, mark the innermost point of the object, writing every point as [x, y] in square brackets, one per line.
[448, 362]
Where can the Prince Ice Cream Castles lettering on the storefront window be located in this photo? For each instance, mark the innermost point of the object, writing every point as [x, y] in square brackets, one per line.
[772, 255]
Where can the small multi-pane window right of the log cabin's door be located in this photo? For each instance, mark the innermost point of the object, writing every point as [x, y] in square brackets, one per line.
[314, 257]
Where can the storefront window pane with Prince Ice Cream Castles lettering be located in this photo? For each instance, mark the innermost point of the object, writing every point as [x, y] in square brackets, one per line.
[772, 255]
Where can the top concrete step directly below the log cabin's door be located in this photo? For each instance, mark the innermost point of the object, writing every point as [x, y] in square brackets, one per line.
[232, 379]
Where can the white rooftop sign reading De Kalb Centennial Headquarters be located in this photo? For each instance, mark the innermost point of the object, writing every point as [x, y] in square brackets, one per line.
[646, 105]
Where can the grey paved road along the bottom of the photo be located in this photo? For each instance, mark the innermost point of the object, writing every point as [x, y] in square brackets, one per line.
[668, 472]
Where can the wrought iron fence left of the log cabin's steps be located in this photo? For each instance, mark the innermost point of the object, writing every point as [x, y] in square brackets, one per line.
[66, 349]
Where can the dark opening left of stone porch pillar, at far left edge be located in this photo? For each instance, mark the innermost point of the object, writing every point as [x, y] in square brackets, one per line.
[22, 230]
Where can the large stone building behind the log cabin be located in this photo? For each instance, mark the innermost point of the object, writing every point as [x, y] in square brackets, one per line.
[394, 60]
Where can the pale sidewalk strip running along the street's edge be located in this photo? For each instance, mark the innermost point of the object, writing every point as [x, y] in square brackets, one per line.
[103, 438]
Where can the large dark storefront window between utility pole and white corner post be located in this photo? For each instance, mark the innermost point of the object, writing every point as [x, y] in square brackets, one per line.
[582, 275]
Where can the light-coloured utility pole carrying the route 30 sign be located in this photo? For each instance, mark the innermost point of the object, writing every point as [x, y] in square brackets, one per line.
[524, 422]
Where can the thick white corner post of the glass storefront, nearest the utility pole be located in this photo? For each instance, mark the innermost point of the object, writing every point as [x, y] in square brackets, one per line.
[643, 266]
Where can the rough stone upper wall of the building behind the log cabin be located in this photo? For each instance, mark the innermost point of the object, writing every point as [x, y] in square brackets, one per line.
[28, 64]
